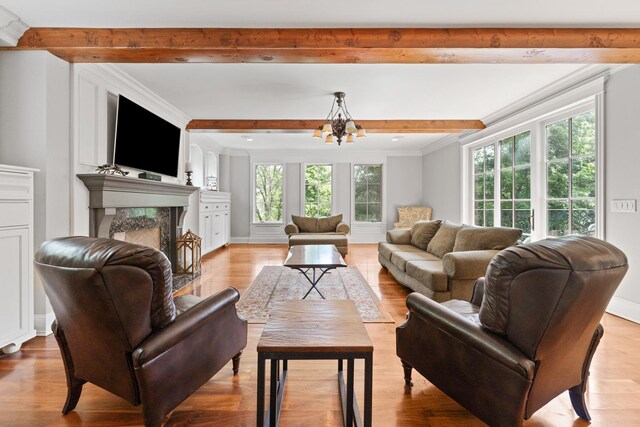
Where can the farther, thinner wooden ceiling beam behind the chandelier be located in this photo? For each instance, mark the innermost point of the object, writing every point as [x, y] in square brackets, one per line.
[373, 126]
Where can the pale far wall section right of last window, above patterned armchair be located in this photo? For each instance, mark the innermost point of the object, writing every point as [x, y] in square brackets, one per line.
[404, 185]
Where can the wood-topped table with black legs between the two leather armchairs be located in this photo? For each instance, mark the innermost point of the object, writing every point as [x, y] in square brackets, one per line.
[303, 330]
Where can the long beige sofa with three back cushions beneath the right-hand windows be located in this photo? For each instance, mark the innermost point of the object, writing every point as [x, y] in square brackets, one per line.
[442, 260]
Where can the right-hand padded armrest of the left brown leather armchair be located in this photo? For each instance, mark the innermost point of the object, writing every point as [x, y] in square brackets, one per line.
[200, 315]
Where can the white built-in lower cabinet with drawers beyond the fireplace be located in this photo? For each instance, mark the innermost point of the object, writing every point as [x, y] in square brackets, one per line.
[215, 219]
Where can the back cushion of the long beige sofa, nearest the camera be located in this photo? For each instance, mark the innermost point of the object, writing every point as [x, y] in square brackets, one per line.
[482, 238]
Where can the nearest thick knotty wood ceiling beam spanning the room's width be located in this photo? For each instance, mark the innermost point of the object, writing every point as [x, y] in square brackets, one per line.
[342, 45]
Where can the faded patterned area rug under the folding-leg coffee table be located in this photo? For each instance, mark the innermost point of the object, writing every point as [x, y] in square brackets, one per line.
[277, 283]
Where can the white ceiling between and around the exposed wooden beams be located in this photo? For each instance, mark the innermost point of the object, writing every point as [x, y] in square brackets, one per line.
[290, 91]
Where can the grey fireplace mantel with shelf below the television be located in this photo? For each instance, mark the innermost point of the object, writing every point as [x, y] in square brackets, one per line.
[109, 192]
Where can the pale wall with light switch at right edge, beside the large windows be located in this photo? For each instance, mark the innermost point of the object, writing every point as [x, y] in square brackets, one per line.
[622, 181]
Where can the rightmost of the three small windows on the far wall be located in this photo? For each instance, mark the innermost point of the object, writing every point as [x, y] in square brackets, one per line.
[367, 188]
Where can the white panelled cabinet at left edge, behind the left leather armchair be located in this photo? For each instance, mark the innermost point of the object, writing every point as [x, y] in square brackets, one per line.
[16, 257]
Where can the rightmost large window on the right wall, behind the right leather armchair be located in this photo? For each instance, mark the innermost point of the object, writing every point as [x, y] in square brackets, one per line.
[571, 175]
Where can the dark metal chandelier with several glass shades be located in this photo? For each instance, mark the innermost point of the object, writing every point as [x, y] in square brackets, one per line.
[339, 123]
